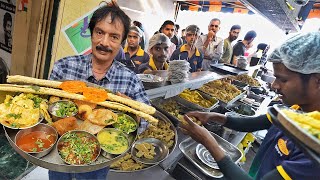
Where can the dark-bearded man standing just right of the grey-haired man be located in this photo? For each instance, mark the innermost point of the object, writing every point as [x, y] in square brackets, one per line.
[227, 48]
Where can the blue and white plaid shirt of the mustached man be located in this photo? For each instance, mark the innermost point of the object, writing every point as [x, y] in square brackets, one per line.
[117, 79]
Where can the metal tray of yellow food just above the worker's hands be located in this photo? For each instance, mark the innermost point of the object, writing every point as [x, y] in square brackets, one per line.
[194, 106]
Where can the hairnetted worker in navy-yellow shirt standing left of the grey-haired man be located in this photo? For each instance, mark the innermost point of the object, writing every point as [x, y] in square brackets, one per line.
[188, 51]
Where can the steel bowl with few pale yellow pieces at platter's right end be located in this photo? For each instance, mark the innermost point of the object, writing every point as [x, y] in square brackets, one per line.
[161, 151]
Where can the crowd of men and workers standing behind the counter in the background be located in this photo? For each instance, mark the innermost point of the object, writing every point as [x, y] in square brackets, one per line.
[200, 50]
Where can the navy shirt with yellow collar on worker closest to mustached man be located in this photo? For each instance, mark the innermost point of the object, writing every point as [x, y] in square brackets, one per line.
[139, 58]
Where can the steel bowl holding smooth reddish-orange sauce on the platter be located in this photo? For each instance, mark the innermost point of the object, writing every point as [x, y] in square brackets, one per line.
[43, 128]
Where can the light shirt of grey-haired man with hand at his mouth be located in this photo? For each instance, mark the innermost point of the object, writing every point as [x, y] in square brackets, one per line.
[214, 50]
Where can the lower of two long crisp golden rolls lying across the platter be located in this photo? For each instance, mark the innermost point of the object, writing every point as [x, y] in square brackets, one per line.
[60, 93]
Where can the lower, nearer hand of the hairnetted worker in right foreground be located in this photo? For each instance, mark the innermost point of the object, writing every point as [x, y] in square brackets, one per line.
[196, 132]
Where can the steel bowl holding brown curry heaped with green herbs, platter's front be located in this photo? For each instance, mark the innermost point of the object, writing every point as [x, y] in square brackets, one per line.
[61, 139]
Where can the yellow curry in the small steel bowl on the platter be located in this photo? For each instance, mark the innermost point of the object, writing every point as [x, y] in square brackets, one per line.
[113, 141]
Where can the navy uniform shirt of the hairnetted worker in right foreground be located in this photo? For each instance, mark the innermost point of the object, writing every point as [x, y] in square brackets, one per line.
[278, 151]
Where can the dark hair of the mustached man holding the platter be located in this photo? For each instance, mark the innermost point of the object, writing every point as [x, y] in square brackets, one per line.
[115, 12]
